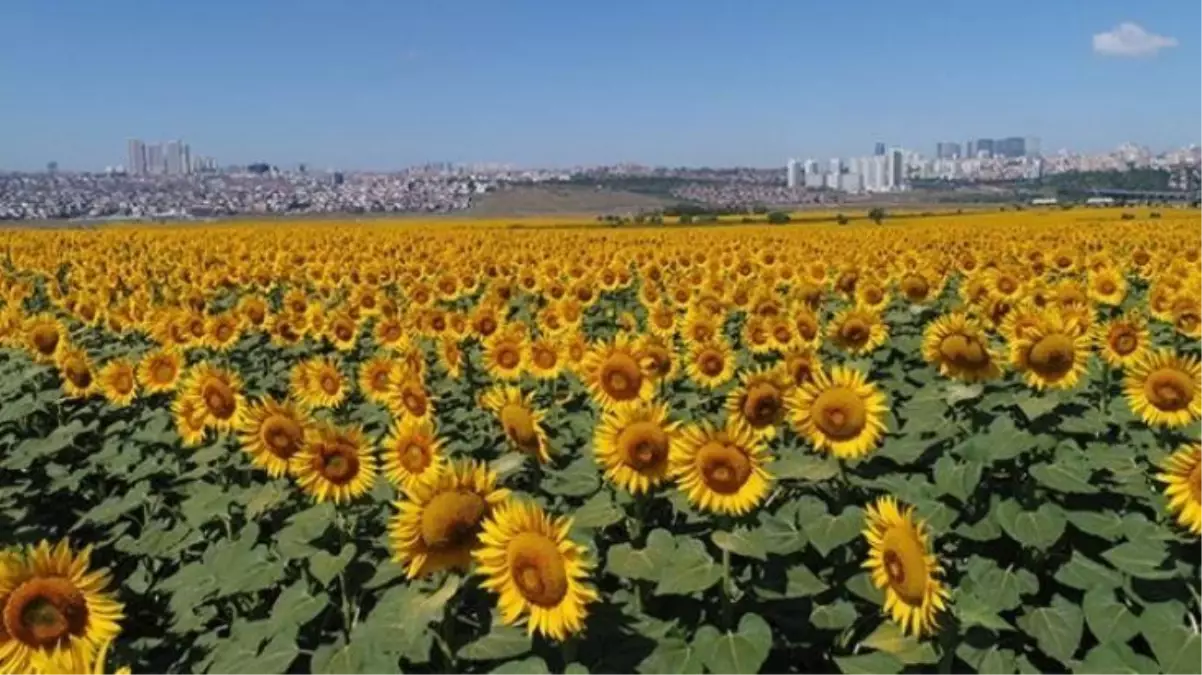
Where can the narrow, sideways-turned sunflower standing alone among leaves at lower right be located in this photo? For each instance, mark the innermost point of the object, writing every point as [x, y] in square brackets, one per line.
[902, 565]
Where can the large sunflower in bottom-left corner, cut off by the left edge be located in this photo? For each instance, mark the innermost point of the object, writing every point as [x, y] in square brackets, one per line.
[57, 612]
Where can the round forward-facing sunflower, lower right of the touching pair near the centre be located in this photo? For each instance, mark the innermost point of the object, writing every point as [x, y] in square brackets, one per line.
[722, 470]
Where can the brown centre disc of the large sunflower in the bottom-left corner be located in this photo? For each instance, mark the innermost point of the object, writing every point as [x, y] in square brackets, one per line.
[45, 612]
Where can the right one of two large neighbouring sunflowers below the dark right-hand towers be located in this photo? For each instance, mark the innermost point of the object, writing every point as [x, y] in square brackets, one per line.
[1054, 355]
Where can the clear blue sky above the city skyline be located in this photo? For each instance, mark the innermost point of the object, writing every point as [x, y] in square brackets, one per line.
[390, 83]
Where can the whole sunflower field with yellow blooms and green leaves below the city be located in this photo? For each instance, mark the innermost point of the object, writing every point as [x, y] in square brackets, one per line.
[962, 444]
